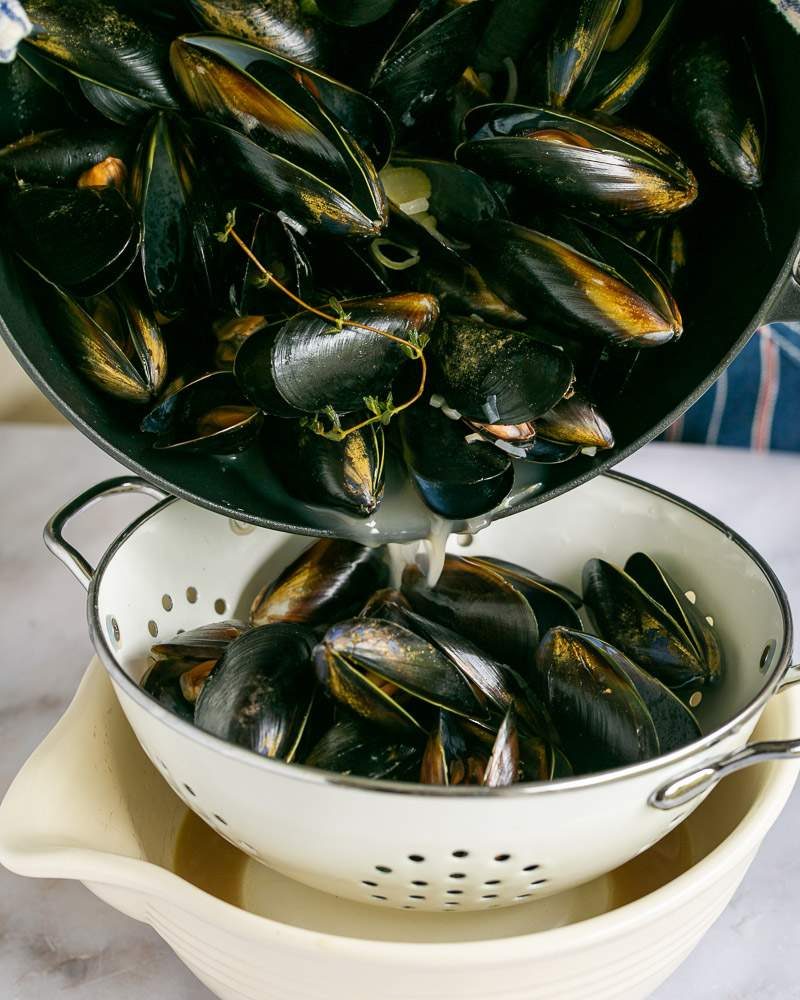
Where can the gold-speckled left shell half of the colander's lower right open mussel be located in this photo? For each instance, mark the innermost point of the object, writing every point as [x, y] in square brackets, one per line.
[602, 720]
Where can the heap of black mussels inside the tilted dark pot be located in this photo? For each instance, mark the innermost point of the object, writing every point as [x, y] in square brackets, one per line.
[347, 231]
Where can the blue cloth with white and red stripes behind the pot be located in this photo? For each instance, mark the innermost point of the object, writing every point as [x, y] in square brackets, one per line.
[754, 404]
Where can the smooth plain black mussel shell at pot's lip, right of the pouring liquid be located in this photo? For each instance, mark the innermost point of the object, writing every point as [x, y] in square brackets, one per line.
[457, 479]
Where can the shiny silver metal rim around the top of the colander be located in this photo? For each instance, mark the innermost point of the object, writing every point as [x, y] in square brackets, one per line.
[124, 684]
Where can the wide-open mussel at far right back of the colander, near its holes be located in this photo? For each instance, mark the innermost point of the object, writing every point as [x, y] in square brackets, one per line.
[671, 640]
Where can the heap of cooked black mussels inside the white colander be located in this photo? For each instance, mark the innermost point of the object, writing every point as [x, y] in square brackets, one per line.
[488, 677]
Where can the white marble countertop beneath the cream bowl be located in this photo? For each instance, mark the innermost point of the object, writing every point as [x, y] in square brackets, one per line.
[56, 939]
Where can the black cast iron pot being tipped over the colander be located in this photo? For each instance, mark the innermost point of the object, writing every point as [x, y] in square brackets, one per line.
[744, 269]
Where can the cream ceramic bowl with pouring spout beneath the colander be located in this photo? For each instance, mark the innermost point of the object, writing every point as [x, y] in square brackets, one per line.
[88, 805]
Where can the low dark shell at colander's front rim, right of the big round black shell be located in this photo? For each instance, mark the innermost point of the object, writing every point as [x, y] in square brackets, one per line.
[353, 746]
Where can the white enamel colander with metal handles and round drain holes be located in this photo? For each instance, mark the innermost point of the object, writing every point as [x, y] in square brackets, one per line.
[421, 847]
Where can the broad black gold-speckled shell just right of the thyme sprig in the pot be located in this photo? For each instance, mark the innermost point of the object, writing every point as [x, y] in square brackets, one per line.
[497, 376]
